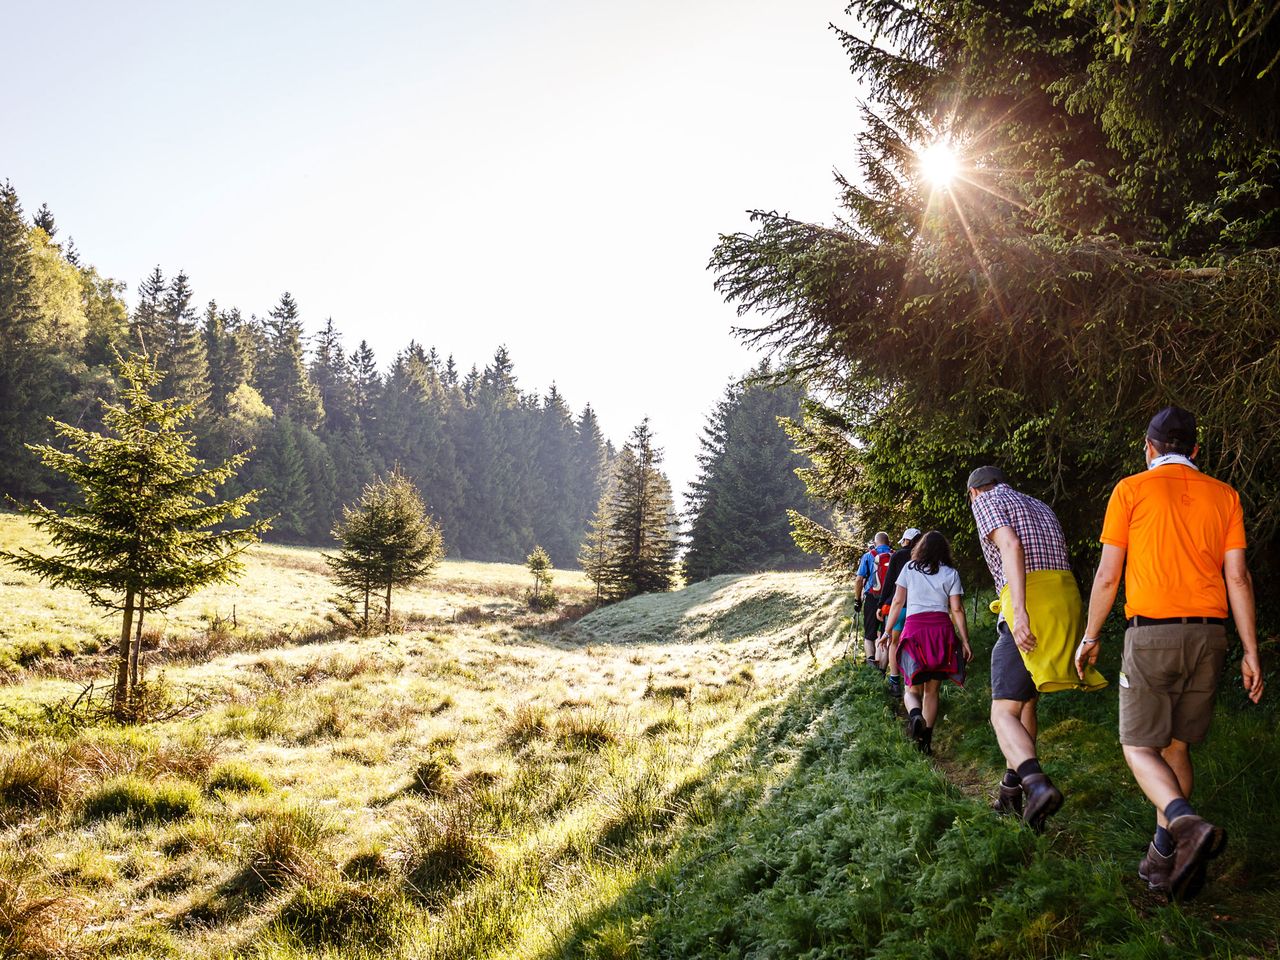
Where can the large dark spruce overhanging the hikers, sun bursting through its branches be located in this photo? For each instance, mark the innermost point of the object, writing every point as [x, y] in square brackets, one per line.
[1109, 241]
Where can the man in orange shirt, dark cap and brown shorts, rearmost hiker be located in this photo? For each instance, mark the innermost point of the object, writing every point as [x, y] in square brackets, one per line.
[1183, 537]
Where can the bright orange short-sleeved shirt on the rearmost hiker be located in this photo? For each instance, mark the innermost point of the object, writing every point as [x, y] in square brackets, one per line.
[1177, 527]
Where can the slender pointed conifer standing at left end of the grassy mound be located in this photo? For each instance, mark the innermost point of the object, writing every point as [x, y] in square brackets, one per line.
[642, 533]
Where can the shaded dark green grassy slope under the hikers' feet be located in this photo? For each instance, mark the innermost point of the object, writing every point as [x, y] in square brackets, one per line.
[825, 835]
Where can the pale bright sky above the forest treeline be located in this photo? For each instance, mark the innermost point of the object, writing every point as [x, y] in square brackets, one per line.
[546, 176]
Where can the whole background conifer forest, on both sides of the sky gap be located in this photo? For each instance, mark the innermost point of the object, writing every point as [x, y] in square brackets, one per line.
[501, 469]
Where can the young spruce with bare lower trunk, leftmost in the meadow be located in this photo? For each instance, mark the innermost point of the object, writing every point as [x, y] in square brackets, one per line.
[143, 534]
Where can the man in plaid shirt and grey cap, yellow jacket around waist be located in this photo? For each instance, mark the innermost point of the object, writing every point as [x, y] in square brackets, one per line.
[1025, 547]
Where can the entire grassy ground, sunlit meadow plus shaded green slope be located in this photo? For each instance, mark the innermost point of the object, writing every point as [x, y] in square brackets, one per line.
[697, 774]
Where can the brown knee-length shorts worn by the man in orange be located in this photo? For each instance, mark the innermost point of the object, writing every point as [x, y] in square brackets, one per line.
[1168, 683]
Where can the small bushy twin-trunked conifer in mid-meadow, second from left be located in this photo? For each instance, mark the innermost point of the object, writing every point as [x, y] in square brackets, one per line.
[388, 540]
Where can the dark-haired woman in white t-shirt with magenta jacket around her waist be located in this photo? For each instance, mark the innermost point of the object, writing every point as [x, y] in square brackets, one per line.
[930, 591]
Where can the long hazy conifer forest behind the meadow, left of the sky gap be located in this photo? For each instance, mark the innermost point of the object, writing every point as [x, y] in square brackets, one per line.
[501, 469]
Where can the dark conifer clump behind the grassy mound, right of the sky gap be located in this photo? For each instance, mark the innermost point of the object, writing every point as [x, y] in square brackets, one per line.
[747, 483]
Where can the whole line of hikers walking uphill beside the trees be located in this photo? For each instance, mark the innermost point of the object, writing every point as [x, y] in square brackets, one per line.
[1176, 538]
